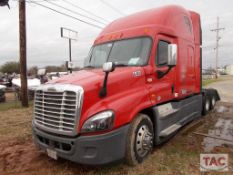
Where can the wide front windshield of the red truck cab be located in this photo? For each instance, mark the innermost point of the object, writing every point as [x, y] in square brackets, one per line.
[130, 52]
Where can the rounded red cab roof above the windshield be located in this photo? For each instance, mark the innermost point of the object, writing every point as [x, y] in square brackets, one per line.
[172, 19]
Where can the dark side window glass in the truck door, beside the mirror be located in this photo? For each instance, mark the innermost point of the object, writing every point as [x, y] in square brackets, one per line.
[162, 53]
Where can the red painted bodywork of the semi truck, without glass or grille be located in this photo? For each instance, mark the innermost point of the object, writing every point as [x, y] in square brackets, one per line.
[128, 95]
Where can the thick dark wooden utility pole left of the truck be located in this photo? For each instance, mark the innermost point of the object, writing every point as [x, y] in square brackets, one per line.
[23, 52]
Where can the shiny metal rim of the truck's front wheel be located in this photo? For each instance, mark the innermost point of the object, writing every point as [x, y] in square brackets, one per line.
[144, 141]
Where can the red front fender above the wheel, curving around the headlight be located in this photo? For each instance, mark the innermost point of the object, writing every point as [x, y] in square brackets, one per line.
[126, 105]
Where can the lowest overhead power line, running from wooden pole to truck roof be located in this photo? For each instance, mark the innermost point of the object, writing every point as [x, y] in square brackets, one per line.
[65, 14]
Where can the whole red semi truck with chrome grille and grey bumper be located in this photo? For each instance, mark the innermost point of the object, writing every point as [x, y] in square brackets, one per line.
[142, 83]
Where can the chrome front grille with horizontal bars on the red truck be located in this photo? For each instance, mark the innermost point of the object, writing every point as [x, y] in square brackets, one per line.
[57, 108]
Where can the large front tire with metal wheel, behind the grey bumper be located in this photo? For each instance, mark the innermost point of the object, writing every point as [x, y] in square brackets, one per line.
[140, 140]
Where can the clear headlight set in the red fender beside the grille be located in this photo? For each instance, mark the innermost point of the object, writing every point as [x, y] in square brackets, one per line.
[99, 122]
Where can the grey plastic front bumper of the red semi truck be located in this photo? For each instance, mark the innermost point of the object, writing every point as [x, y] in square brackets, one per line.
[91, 150]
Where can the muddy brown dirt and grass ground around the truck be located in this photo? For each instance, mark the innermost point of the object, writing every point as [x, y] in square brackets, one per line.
[180, 155]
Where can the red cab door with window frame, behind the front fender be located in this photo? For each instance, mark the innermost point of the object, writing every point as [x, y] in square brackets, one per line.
[162, 89]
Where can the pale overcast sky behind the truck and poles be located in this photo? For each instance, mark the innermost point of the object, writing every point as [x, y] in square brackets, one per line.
[46, 47]
